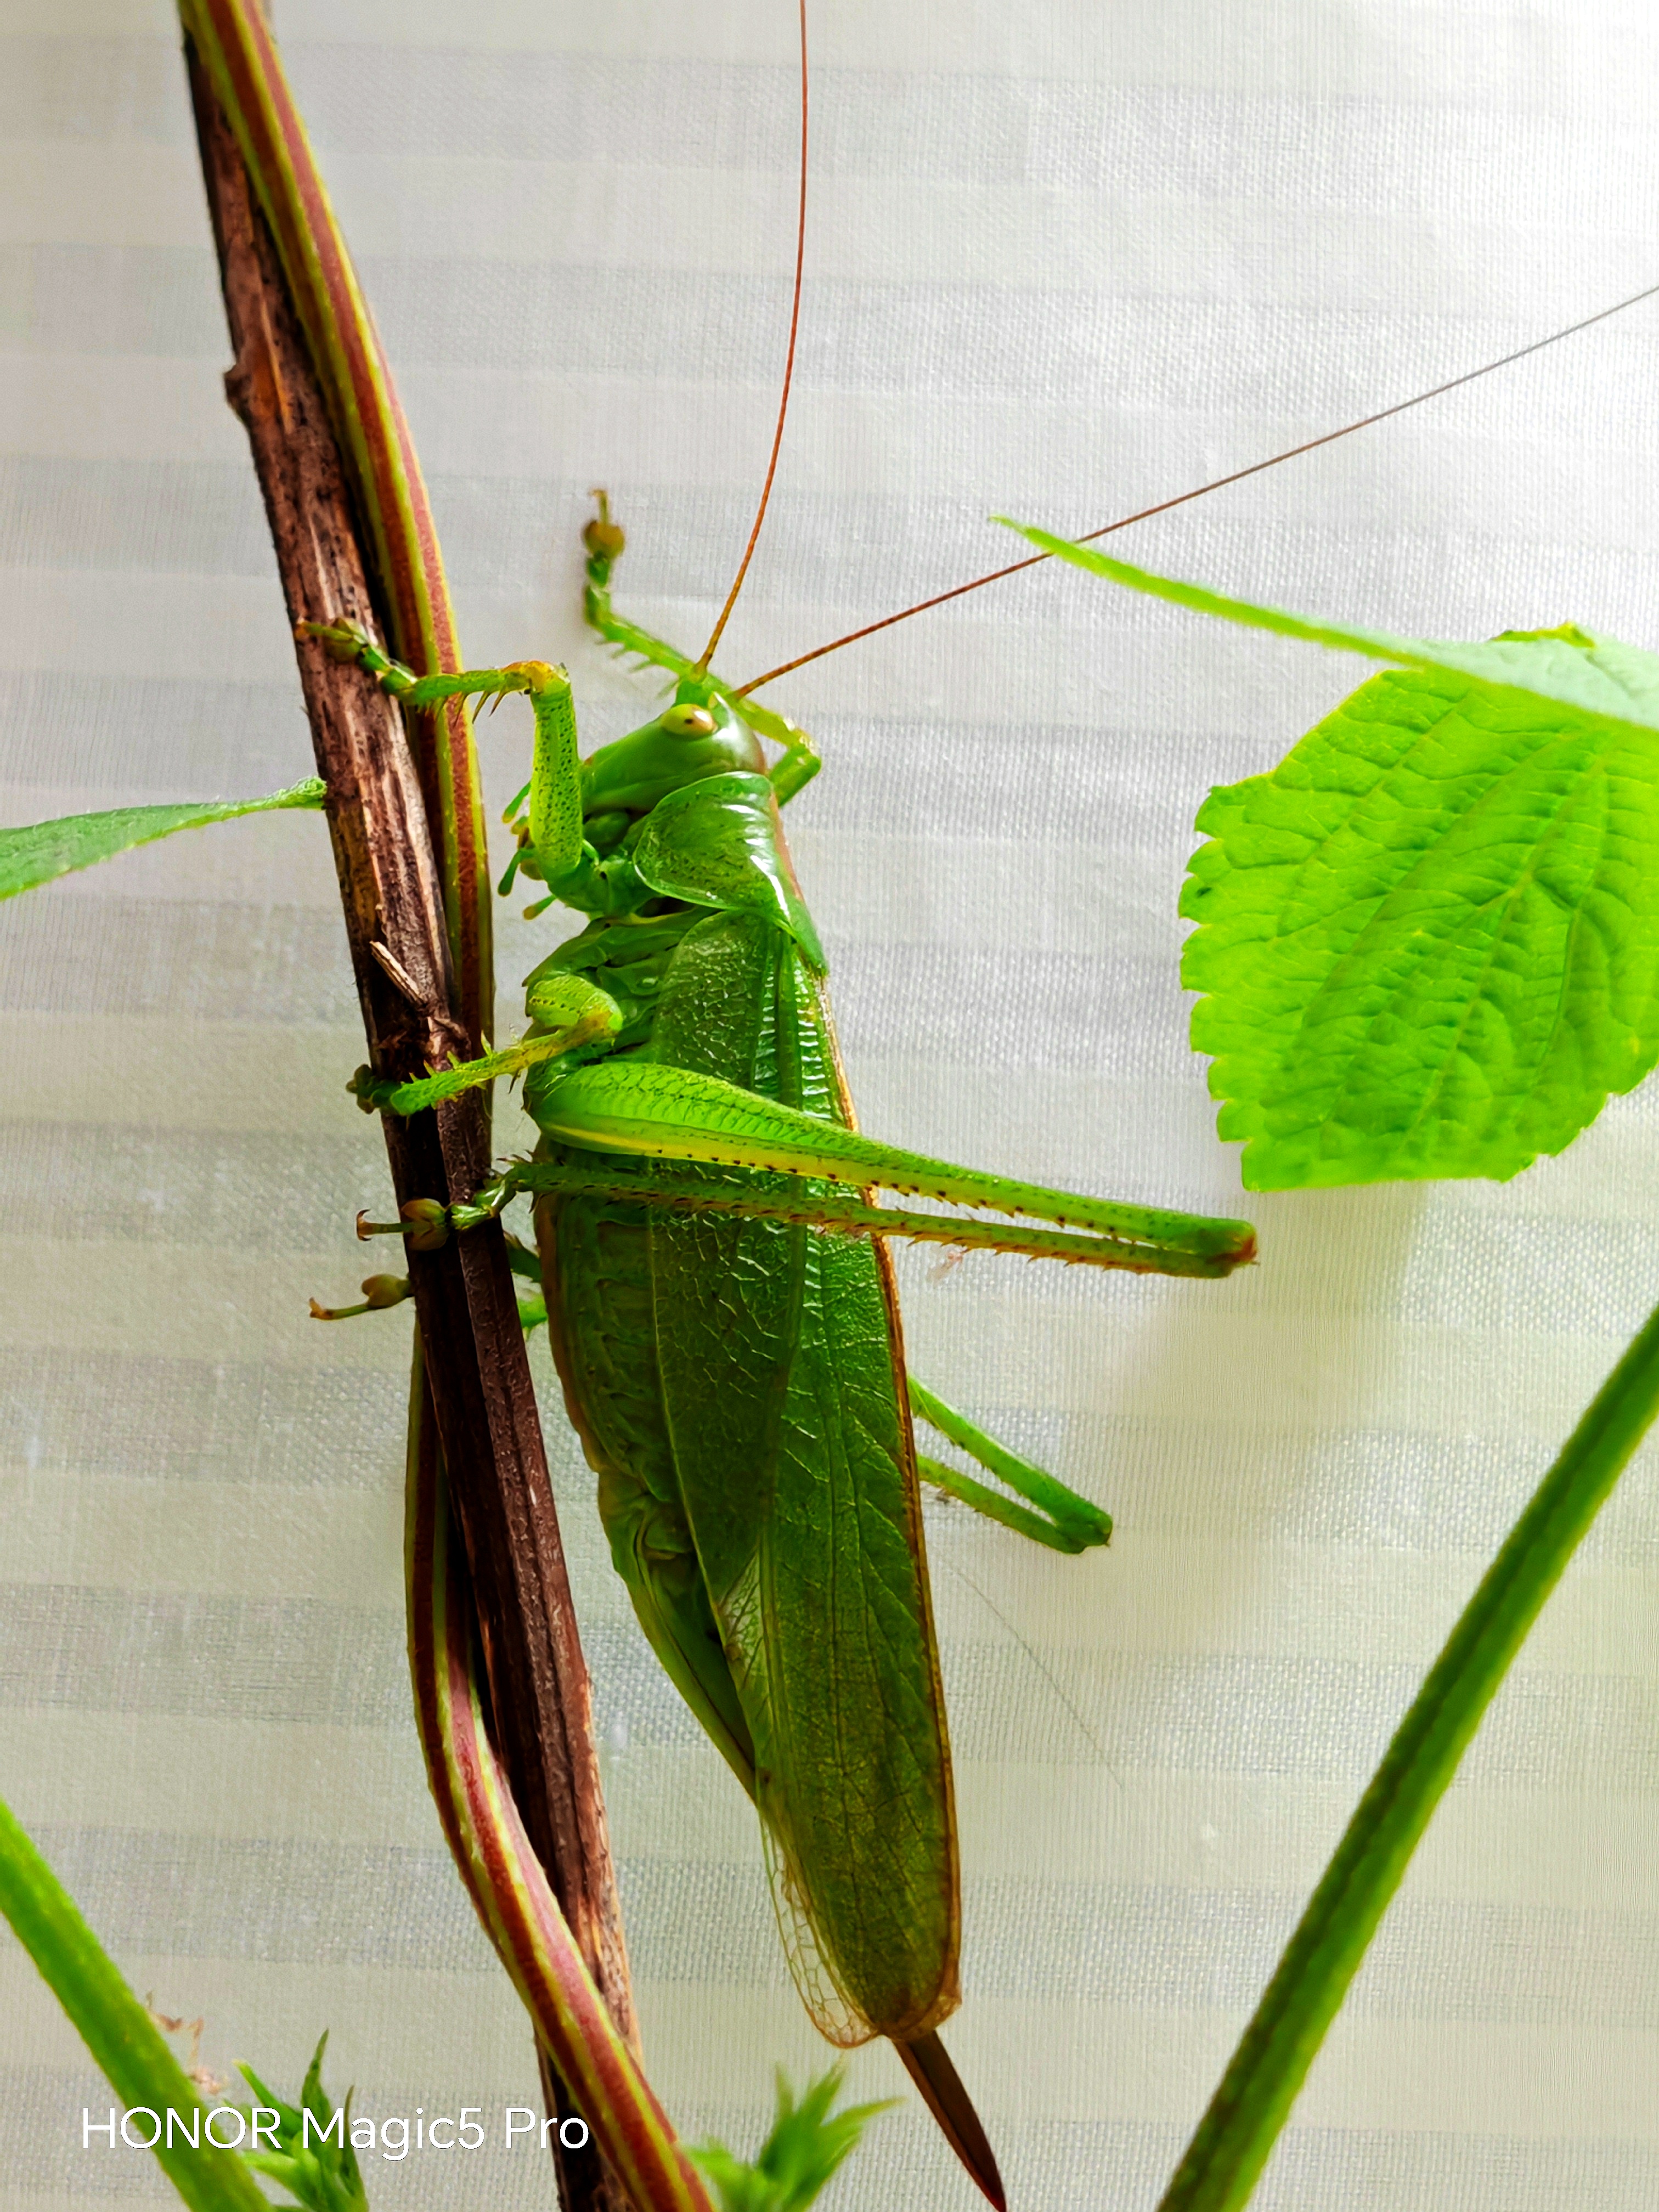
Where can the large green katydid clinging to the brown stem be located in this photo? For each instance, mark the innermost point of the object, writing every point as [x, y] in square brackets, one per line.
[727, 1326]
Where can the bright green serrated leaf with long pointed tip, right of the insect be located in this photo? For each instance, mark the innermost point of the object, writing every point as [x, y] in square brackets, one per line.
[1430, 939]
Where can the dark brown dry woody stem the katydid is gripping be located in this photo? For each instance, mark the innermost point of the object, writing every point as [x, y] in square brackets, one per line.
[413, 1014]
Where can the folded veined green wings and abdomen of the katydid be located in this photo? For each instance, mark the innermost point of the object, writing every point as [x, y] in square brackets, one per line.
[740, 1390]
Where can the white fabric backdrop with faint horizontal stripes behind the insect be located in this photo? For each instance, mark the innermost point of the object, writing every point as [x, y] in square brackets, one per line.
[1063, 260]
